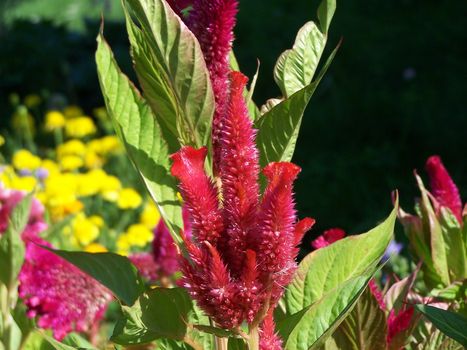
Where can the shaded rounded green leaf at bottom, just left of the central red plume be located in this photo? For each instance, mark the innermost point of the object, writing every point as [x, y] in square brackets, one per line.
[159, 313]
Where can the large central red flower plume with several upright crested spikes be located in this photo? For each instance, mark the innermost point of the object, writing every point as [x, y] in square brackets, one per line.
[243, 247]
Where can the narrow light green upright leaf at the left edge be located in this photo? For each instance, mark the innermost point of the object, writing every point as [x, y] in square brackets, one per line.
[11, 245]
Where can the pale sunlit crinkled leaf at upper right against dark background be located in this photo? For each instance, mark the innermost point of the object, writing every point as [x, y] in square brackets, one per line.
[296, 67]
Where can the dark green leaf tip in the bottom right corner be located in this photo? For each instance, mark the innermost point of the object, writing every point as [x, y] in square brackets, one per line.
[452, 324]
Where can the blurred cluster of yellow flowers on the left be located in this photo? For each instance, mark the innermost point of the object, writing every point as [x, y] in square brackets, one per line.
[73, 176]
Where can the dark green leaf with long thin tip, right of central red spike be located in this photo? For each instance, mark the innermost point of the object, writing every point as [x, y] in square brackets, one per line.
[278, 128]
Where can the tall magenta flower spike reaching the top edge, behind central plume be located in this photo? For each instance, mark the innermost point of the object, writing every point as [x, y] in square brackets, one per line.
[212, 22]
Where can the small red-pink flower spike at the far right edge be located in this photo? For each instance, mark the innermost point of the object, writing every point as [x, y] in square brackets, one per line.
[443, 188]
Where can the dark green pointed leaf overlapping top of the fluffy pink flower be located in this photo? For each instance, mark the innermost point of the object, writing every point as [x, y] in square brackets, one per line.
[112, 270]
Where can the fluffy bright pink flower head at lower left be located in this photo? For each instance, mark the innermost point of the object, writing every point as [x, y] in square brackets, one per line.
[62, 297]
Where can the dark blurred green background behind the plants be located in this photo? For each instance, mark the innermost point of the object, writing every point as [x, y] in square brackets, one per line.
[395, 93]
